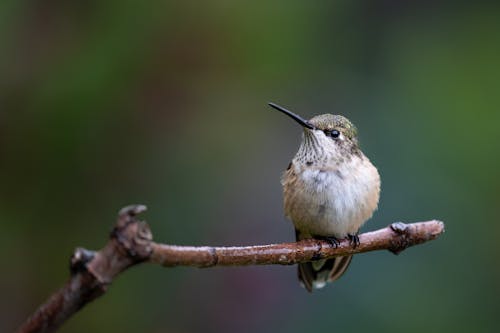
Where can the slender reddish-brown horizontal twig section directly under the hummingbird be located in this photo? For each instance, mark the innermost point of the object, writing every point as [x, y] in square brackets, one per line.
[395, 238]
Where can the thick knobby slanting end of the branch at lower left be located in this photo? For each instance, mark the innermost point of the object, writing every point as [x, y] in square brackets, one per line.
[92, 272]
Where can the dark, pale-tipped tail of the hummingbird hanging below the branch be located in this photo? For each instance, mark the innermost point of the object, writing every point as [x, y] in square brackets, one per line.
[316, 274]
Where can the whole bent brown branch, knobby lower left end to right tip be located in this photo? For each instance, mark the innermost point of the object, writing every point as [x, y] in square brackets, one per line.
[131, 243]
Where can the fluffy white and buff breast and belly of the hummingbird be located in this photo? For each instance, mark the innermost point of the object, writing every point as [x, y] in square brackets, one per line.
[331, 201]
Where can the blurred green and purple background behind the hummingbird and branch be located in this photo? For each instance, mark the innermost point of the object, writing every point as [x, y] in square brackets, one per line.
[108, 103]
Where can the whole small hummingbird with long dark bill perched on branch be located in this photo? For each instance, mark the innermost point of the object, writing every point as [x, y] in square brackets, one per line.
[330, 190]
